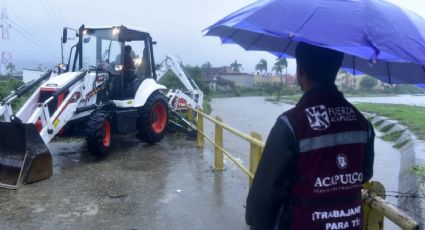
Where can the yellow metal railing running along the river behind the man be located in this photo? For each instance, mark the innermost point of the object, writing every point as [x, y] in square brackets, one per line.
[375, 207]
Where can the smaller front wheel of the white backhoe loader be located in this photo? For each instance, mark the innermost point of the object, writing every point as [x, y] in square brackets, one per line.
[98, 133]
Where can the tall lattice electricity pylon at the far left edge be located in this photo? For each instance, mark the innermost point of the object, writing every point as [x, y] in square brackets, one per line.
[6, 56]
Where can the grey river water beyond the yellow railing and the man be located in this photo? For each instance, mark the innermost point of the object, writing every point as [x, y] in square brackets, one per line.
[249, 114]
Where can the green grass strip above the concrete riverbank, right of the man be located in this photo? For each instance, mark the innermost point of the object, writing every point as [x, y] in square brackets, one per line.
[409, 115]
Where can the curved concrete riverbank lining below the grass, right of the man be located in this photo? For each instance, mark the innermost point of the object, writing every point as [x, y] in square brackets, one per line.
[411, 174]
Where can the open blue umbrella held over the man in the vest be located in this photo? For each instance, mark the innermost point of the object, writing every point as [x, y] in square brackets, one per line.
[377, 37]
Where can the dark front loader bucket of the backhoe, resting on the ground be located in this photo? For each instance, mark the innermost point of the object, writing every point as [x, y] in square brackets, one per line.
[24, 158]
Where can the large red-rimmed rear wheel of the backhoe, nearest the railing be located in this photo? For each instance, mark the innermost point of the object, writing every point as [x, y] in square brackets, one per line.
[153, 119]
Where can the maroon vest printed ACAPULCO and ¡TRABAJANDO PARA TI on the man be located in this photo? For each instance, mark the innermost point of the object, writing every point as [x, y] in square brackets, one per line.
[331, 136]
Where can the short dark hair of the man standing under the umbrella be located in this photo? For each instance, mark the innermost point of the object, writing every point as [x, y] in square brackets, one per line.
[321, 64]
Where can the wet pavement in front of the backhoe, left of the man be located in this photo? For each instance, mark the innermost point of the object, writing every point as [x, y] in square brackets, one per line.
[169, 185]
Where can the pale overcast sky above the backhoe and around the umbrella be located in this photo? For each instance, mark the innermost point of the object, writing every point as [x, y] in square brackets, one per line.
[176, 26]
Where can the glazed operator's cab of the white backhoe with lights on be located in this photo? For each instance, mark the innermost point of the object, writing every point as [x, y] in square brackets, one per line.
[124, 53]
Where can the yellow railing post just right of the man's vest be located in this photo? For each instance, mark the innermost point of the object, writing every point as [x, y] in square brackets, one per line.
[373, 219]
